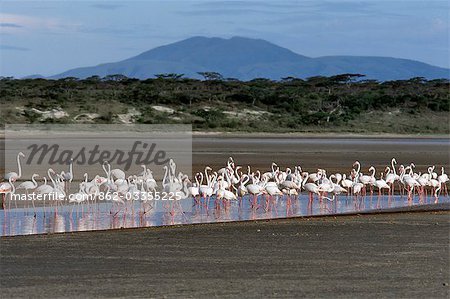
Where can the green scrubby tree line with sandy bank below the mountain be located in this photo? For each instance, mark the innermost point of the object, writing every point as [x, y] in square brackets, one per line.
[345, 103]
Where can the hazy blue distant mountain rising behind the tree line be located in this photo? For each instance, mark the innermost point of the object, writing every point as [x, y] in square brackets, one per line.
[246, 59]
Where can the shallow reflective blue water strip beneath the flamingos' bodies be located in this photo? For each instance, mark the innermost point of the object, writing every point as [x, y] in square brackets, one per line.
[107, 215]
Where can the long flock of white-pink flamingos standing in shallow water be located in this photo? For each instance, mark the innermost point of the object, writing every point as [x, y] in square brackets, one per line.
[229, 183]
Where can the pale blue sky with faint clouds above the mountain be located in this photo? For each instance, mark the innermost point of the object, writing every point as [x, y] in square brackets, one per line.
[49, 37]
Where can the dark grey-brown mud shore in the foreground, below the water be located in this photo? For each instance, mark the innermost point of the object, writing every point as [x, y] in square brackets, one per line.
[377, 255]
